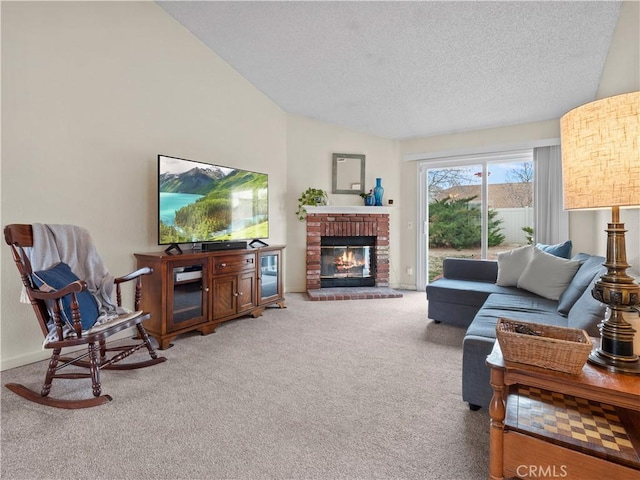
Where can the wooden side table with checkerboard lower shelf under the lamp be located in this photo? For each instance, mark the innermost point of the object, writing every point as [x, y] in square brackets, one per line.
[547, 424]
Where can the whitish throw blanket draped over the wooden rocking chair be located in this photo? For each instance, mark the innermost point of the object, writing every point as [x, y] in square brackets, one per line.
[72, 245]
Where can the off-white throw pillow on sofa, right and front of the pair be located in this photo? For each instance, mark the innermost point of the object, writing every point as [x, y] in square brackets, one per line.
[547, 275]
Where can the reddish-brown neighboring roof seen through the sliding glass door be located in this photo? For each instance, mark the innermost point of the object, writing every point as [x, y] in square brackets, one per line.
[501, 195]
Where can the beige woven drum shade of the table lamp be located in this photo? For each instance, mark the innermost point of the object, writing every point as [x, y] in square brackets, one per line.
[601, 153]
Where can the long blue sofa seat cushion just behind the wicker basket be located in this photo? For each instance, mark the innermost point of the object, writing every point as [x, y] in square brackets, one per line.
[529, 308]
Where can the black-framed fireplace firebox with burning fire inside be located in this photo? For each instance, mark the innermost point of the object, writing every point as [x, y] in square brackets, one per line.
[347, 261]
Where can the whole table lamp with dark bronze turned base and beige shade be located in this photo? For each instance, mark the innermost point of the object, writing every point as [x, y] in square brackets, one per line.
[601, 169]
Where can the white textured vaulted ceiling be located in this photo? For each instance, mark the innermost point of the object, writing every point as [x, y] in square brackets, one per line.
[407, 69]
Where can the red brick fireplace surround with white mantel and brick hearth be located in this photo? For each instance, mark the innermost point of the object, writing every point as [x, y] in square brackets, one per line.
[350, 223]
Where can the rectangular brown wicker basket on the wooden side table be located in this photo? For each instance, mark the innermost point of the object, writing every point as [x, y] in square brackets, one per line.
[556, 348]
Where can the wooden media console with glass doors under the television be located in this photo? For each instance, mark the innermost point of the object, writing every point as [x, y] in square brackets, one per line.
[198, 290]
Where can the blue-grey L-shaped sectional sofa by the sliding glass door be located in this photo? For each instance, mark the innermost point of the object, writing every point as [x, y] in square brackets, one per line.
[467, 296]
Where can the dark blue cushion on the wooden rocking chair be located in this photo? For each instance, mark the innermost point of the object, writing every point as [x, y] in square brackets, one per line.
[60, 276]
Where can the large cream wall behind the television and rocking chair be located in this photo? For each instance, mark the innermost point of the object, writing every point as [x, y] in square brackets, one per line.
[92, 92]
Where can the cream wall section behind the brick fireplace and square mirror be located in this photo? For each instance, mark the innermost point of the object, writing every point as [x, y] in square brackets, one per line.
[310, 146]
